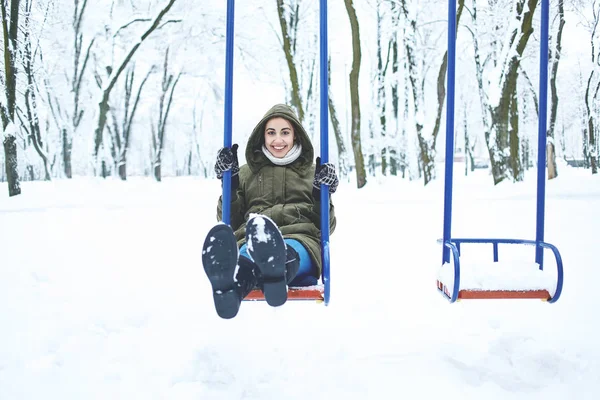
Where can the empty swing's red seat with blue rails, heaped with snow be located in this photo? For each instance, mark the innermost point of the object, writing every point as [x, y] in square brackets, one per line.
[499, 280]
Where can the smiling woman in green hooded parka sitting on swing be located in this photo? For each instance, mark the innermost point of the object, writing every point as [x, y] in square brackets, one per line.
[274, 238]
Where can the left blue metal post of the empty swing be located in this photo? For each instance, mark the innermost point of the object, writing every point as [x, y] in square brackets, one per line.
[449, 128]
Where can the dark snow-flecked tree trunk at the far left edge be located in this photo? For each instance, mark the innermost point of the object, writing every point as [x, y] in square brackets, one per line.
[10, 31]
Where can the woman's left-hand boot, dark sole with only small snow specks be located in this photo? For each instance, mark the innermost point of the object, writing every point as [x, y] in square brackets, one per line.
[219, 258]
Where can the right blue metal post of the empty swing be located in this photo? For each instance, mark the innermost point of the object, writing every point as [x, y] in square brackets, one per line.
[541, 178]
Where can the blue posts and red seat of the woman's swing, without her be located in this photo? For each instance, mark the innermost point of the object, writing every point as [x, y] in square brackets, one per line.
[322, 292]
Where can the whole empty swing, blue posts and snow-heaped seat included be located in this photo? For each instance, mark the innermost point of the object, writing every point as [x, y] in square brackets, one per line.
[455, 283]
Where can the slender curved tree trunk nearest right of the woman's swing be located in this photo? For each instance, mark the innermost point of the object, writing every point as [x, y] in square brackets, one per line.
[361, 176]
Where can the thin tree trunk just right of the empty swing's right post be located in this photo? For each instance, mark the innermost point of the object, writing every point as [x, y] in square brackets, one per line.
[550, 151]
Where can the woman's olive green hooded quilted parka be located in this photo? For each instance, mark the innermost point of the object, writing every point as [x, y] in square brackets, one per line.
[282, 193]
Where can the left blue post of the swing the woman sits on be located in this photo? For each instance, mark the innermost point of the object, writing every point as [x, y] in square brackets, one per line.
[228, 107]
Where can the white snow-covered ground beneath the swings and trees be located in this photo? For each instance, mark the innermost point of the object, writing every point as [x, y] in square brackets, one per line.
[103, 296]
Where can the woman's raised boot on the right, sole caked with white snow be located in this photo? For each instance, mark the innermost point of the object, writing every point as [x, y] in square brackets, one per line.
[268, 251]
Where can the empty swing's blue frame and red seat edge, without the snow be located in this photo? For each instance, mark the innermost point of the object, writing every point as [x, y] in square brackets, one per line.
[453, 244]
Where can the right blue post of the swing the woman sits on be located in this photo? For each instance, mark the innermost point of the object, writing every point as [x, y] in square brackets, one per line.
[324, 150]
